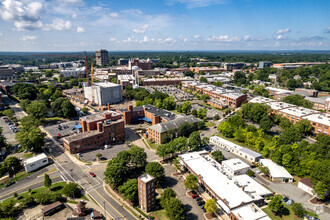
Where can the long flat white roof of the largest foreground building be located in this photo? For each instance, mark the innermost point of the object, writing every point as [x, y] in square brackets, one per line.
[210, 171]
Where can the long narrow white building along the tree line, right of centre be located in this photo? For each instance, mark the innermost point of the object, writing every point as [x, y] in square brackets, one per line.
[245, 153]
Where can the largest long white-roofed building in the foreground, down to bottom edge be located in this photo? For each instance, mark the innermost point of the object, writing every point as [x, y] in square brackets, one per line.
[212, 178]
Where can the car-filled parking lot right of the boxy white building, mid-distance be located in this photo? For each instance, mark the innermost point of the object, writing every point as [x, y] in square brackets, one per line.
[178, 94]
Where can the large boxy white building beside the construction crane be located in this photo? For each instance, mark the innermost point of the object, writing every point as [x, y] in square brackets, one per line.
[104, 93]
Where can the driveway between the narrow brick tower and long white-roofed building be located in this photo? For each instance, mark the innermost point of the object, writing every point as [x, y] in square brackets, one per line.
[177, 184]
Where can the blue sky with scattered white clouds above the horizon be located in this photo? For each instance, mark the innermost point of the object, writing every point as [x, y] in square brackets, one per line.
[121, 25]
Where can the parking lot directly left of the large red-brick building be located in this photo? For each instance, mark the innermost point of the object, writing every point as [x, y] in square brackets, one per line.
[62, 129]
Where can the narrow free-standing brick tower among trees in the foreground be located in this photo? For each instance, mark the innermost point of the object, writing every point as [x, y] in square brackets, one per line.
[147, 195]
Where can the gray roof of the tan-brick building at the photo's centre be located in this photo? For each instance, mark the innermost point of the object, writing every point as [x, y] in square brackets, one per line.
[174, 124]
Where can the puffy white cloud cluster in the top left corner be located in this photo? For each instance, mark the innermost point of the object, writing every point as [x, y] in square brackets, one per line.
[24, 14]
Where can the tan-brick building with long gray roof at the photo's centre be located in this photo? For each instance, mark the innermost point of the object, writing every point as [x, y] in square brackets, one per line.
[158, 131]
